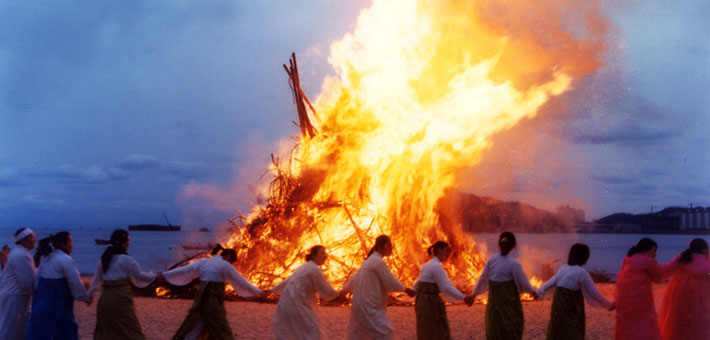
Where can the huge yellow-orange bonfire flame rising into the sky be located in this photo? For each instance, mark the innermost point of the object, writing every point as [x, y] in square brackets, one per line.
[420, 89]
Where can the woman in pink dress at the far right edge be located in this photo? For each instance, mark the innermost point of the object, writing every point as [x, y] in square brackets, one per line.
[685, 309]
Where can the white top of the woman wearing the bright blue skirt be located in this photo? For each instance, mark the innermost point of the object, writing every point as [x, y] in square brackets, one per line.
[59, 265]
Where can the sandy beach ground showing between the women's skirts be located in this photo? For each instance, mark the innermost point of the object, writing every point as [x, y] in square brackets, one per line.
[160, 318]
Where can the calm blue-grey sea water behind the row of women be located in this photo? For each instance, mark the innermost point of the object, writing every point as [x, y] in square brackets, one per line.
[158, 250]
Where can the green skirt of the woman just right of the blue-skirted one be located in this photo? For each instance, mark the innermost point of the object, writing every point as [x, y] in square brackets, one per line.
[115, 314]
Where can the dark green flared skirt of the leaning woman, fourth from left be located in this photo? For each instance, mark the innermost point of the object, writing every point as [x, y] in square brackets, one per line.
[208, 308]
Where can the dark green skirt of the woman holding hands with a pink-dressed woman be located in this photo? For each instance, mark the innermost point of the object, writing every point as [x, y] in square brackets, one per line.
[567, 320]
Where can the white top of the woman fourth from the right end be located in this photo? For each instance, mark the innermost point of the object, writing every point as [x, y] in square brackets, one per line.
[501, 268]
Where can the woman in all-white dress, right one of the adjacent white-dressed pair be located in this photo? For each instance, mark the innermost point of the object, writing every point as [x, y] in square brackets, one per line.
[370, 285]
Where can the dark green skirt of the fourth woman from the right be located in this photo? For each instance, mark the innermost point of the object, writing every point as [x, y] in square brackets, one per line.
[504, 312]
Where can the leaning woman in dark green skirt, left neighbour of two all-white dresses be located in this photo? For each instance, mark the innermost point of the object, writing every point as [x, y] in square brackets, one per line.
[207, 315]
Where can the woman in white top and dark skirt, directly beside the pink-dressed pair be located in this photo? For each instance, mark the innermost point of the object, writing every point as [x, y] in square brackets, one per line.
[573, 285]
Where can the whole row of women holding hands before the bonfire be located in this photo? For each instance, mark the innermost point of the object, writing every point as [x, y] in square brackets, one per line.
[58, 285]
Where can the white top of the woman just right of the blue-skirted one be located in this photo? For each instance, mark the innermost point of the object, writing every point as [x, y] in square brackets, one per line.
[122, 266]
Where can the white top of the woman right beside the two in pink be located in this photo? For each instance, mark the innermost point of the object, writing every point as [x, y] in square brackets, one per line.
[576, 278]
